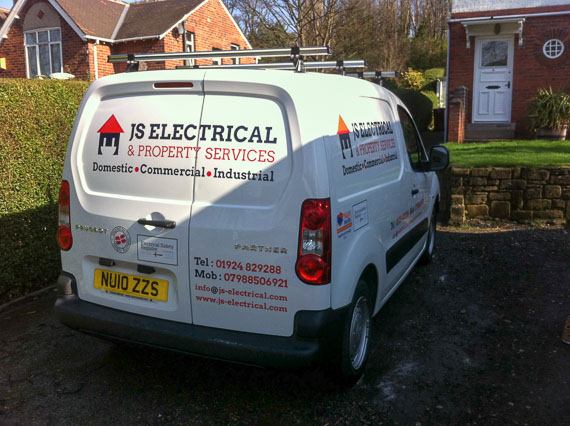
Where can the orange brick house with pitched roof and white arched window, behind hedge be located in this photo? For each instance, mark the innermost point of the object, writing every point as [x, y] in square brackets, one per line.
[41, 37]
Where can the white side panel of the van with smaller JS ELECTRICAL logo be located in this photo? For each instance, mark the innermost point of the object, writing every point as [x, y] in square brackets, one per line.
[365, 170]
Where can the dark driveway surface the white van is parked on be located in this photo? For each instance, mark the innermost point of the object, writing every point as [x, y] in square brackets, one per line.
[472, 338]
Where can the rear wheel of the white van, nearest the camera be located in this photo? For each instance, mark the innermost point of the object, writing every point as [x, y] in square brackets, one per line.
[356, 336]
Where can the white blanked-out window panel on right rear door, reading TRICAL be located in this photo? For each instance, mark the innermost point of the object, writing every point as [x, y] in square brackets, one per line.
[243, 150]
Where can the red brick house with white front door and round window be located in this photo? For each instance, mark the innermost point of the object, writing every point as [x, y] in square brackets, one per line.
[498, 59]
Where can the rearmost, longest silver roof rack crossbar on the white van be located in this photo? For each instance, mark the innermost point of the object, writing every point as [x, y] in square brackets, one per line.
[293, 52]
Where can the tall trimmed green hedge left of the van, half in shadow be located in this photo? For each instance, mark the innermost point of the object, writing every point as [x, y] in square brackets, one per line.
[36, 121]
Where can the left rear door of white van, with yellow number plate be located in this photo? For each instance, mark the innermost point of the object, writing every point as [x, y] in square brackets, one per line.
[134, 167]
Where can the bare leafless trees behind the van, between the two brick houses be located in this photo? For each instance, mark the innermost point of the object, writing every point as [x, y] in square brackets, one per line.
[390, 34]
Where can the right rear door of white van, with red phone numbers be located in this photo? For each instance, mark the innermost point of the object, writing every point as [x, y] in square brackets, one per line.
[244, 231]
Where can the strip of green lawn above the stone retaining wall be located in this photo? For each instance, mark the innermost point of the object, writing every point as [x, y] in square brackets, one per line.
[533, 153]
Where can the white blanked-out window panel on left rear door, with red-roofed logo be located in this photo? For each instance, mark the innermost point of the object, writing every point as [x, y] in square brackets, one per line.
[143, 146]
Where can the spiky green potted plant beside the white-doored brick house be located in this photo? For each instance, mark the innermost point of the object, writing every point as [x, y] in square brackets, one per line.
[550, 114]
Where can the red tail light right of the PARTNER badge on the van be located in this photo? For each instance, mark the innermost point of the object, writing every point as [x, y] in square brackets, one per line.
[314, 255]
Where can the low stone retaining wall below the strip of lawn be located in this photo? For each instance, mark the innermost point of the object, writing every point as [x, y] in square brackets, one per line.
[518, 193]
